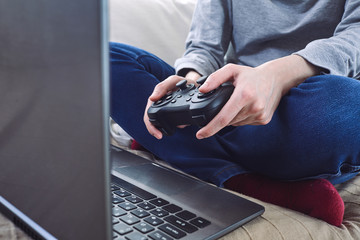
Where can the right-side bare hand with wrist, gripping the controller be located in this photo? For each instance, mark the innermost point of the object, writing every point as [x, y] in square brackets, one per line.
[257, 91]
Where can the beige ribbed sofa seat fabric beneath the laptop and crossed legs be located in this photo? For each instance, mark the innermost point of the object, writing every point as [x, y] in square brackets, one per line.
[276, 222]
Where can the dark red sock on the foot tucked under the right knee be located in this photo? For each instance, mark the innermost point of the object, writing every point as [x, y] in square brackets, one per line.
[317, 198]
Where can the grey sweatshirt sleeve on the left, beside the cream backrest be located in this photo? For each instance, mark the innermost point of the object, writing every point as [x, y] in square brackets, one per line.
[208, 39]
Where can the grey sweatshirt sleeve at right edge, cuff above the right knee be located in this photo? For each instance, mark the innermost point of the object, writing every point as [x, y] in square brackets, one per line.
[339, 54]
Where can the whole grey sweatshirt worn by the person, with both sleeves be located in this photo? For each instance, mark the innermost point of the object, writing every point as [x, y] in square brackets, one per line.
[324, 32]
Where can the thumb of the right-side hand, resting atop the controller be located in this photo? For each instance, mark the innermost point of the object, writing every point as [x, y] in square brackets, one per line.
[217, 78]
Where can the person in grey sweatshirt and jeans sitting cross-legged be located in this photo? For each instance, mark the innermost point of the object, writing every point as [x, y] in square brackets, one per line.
[291, 129]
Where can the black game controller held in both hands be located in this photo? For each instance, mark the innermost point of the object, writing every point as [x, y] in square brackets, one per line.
[188, 106]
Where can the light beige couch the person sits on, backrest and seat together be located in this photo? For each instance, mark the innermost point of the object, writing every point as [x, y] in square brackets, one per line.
[161, 27]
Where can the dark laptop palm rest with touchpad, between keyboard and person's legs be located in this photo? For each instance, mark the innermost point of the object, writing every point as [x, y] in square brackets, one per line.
[224, 208]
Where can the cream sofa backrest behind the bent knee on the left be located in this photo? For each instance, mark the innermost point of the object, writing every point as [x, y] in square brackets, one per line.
[158, 26]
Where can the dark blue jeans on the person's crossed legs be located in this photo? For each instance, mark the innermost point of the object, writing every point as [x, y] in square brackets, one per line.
[314, 133]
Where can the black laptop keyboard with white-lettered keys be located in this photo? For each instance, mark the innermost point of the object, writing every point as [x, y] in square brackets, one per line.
[138, 214]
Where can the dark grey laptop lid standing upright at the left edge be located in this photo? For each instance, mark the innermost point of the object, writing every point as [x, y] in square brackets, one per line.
[54, 164]
